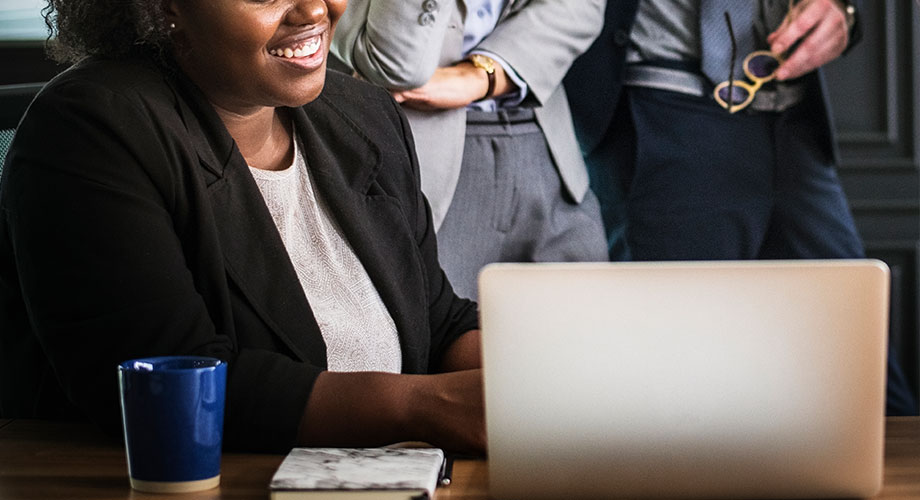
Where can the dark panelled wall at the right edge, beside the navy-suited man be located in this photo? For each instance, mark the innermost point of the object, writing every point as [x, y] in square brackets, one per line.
[875, 95]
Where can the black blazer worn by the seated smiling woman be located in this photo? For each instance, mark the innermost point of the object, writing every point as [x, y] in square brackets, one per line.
[130, 226]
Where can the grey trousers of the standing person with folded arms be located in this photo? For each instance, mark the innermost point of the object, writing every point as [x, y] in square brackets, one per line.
[510, 204]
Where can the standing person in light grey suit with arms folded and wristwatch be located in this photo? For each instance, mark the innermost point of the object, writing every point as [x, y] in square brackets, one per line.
[480, 82]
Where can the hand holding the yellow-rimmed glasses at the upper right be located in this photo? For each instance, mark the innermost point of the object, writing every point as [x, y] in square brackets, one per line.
[820, 29]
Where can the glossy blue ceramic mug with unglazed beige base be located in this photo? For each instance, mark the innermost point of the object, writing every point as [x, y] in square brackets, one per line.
[173, 417]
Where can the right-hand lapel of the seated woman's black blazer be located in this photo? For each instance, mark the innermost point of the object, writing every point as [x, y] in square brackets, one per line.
[345, 164]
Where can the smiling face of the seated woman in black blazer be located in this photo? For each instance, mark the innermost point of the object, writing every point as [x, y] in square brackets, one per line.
[249, 54]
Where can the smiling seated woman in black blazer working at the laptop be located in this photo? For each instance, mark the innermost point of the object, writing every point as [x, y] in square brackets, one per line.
[212, 190]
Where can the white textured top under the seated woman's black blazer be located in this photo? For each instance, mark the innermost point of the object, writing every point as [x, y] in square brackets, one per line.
[358, 330]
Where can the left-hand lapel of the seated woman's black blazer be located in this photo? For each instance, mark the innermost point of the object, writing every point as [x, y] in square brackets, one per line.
[254, 255]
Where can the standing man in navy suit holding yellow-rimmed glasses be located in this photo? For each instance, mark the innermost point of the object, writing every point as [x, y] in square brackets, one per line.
[687, 167]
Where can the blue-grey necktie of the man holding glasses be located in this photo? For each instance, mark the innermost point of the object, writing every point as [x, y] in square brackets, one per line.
[716, 42]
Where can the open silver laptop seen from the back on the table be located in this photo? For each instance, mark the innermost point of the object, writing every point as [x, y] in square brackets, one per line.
[685, 380]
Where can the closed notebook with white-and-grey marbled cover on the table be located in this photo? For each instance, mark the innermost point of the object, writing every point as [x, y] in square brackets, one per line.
[362, 473]
